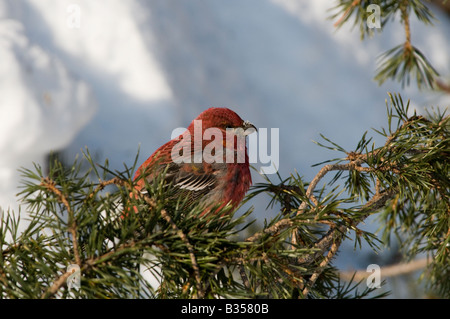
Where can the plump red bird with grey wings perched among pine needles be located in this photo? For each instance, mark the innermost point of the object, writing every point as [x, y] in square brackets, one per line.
[208, 162]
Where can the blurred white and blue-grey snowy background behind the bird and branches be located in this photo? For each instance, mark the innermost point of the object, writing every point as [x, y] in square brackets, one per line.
[115, 75]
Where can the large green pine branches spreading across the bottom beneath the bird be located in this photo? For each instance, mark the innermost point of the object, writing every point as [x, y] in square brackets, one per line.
[88, 215]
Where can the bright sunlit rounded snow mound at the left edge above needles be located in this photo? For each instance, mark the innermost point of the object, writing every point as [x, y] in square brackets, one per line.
[43, 105]
